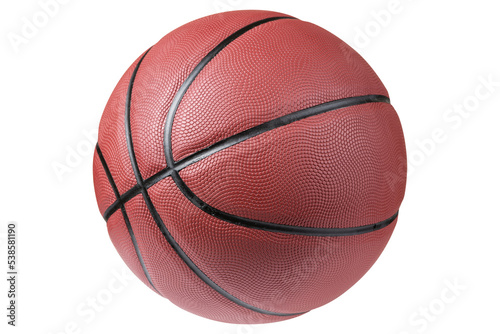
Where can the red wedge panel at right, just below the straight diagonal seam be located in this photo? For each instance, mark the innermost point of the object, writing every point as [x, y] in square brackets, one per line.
[251, 178]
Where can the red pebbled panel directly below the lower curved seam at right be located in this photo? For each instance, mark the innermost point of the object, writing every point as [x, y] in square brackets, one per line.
[274, 271]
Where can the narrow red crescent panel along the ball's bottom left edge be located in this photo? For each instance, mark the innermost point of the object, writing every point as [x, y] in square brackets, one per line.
[173, 279]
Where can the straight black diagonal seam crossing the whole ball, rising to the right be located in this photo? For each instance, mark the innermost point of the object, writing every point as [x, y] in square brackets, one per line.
[242, 136]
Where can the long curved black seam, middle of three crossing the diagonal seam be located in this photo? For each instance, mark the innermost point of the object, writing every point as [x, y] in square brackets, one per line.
[159, 222]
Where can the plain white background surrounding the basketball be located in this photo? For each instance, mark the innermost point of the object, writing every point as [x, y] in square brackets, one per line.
[432, 56]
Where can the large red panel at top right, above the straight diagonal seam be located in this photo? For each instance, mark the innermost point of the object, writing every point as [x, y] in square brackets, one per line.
[297, 65]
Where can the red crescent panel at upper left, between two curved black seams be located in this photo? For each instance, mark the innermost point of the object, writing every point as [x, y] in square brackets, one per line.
[163, 71]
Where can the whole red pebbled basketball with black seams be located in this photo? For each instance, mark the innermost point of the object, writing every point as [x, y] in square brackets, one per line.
[250, 167]
